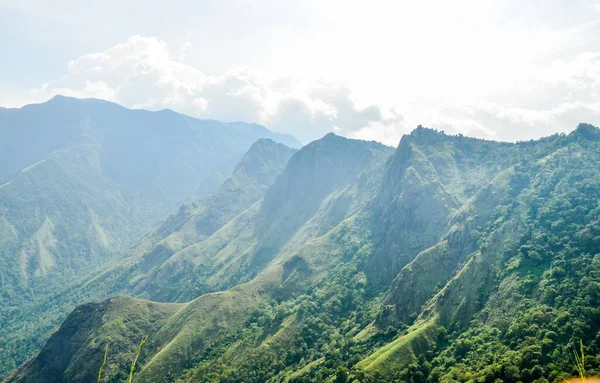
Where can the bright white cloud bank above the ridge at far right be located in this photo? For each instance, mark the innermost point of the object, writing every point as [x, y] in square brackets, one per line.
[560, 96]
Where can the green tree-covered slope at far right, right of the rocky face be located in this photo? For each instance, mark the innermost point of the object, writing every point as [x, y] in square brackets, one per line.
[504, 259]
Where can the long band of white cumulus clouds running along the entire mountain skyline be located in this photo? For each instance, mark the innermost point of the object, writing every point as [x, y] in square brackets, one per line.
[143, 73]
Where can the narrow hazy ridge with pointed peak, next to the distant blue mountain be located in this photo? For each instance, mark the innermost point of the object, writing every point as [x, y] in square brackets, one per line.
[162, 257]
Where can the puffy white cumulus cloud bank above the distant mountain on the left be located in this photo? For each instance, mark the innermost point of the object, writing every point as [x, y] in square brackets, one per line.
[142, 73]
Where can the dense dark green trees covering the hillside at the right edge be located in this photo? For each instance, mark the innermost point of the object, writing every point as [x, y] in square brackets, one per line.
[556, 273]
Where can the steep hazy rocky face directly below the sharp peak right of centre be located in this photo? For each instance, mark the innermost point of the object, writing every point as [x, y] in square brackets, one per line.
[430, 177]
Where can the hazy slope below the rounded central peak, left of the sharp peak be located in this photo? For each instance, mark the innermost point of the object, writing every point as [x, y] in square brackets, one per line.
[309, 198]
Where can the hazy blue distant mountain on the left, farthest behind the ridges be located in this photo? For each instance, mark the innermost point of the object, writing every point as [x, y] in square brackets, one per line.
[82, 180]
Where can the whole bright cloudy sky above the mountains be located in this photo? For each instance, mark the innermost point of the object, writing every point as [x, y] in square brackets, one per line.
[505, 70]
